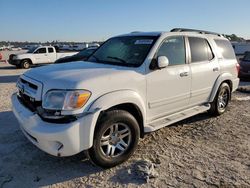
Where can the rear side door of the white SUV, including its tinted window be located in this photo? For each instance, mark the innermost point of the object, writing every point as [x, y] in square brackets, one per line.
[205, 69]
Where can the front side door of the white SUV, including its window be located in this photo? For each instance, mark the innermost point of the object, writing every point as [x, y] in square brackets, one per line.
[168, 89]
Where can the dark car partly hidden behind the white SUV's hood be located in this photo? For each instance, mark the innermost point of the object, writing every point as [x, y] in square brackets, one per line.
[81, 56]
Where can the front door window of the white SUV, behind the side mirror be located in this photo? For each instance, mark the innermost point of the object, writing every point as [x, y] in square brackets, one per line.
[174, 49]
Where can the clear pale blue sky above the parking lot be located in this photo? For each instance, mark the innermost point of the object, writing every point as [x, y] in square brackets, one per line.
[88, 20]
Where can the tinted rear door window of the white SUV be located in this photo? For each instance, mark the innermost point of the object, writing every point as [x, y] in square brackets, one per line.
[200, 50]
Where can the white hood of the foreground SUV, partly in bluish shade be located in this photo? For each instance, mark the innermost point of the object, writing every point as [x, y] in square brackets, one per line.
[84, 75]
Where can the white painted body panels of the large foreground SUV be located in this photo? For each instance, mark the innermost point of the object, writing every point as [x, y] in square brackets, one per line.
[157, 94]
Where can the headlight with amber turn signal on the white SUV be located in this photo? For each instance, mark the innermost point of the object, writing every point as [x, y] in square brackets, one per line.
[65, 100]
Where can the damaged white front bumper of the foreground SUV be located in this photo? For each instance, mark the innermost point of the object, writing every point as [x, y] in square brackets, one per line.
[55, 139]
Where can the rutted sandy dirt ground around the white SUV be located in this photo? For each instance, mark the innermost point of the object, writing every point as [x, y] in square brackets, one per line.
[198, 152]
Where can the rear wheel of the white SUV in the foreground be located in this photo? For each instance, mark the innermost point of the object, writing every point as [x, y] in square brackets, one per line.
[221, 100]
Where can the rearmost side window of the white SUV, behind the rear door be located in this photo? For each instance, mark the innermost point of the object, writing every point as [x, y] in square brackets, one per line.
[225, 49]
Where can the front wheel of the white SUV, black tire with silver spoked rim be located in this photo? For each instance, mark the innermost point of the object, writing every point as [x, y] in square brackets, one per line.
[108, 149]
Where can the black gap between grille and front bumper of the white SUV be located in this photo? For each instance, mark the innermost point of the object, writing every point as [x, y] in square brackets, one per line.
[28, 102]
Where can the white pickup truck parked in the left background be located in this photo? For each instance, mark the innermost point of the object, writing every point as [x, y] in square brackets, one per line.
[37, 55]
